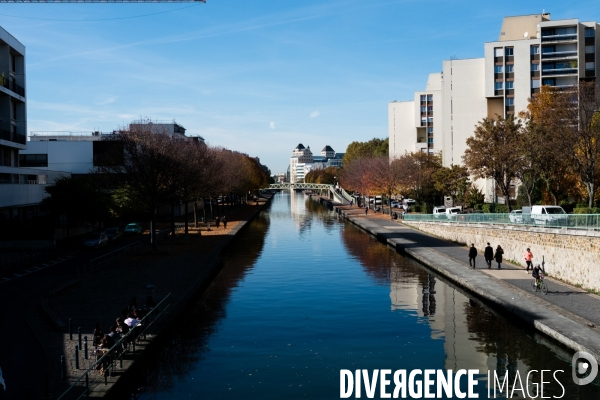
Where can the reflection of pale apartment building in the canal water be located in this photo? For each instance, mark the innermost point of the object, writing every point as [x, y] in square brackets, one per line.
[444, 310]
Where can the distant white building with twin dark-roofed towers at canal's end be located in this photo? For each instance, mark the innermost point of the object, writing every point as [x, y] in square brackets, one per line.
[303, 161]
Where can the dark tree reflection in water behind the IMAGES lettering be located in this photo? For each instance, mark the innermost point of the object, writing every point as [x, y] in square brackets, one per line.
[499, 338]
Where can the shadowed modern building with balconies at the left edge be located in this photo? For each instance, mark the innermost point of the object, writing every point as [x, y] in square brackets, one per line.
[21, 184]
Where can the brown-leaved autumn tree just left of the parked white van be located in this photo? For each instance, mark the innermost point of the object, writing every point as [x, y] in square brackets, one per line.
[491, 152]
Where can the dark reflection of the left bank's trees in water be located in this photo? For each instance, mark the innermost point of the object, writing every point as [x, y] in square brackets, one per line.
[187, 343]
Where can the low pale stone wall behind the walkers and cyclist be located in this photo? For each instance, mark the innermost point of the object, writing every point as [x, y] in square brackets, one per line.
[571, 256]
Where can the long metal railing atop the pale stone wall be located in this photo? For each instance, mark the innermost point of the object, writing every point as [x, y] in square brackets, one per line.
[563, 221]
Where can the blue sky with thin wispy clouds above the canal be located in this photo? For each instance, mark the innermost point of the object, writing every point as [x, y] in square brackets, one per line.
[254, 76]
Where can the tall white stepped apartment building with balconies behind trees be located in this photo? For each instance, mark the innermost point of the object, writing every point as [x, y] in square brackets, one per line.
[531, 51]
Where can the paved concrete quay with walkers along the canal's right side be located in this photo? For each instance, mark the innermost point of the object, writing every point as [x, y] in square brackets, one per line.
[572, 326]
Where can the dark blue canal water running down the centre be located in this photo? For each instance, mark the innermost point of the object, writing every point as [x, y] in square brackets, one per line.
[303, 295]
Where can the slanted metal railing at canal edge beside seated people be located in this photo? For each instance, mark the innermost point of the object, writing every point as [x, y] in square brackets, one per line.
[116, 347]
